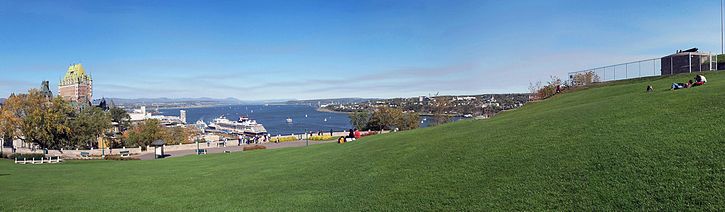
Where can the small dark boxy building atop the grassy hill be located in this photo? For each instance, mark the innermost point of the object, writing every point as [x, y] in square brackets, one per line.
[685, 62]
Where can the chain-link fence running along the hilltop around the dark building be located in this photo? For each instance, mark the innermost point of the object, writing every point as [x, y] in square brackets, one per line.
[681, 62]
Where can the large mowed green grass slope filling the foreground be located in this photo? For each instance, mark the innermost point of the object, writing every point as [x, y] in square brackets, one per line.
[613, 147]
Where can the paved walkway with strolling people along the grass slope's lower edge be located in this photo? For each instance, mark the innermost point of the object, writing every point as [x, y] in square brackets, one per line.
[149, 155]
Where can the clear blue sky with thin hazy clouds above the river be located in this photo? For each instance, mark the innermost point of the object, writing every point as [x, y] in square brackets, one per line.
[259, 50]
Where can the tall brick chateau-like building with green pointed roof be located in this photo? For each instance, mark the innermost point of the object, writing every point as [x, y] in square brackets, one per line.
[76, 85]
